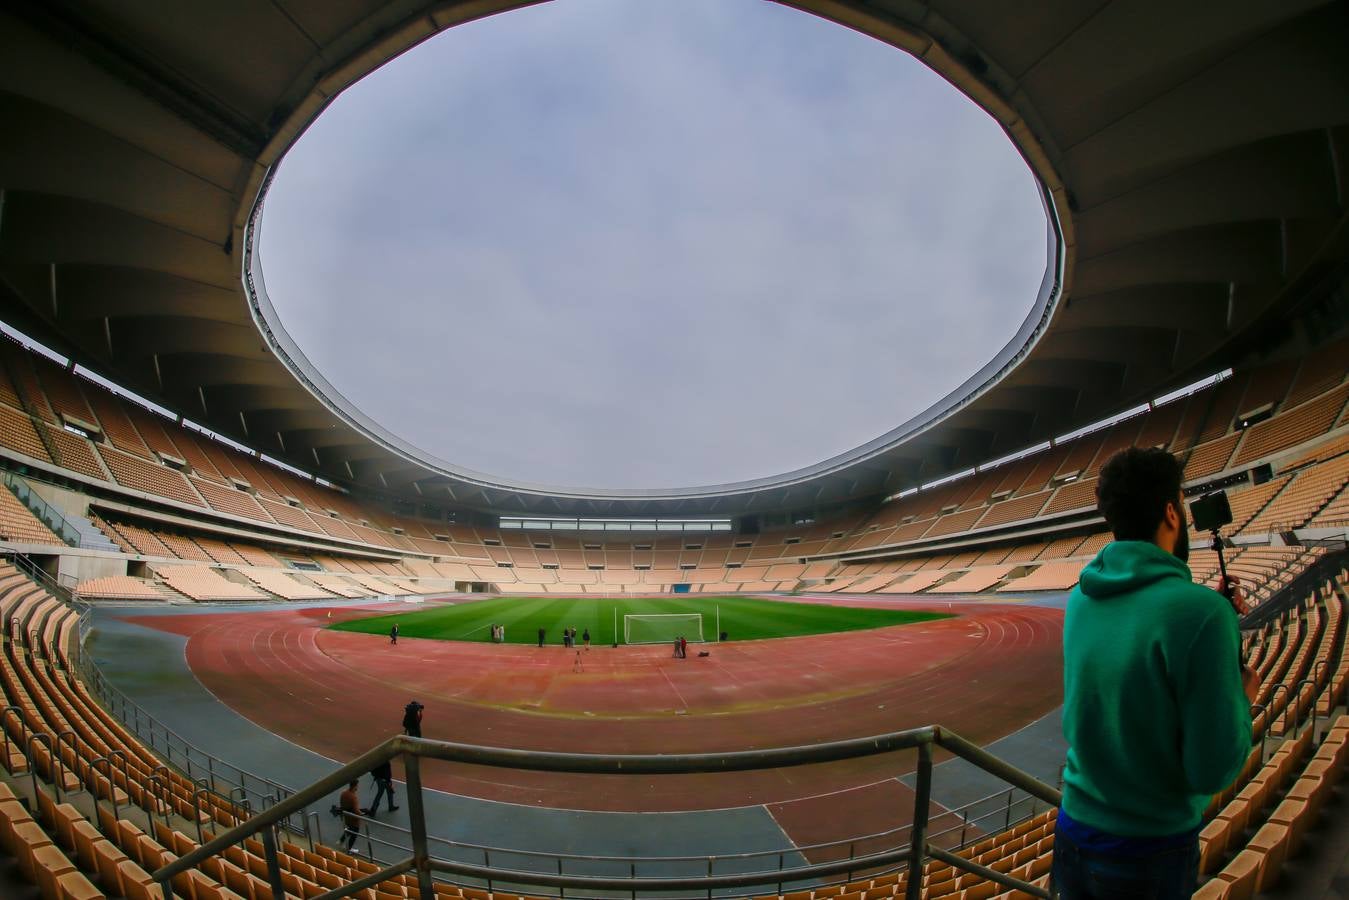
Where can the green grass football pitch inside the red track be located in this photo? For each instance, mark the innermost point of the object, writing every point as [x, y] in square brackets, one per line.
[743, 619]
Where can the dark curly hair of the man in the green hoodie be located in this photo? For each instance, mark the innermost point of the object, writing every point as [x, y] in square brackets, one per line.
[1134, 492]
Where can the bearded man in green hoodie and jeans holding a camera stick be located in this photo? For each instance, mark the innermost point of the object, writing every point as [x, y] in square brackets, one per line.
[1157, 705]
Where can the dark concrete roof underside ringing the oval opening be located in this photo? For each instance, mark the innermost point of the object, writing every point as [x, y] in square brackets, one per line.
[1193, 160]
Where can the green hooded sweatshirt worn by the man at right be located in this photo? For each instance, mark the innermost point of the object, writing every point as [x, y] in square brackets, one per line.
[1154, 712]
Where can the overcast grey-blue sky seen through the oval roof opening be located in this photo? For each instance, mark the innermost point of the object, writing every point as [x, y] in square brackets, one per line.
[651, 244]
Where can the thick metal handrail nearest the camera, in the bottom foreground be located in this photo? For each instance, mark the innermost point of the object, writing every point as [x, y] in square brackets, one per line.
[412, 751]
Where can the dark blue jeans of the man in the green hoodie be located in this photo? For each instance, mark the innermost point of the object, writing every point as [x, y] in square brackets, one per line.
[1081, 875]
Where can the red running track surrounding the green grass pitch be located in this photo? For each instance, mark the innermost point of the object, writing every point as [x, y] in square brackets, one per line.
[985, 674]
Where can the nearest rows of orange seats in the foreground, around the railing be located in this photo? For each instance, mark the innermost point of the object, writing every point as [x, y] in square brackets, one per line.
[74, 849]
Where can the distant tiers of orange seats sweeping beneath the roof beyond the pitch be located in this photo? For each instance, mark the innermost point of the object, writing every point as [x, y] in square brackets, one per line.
[1301, 439]
